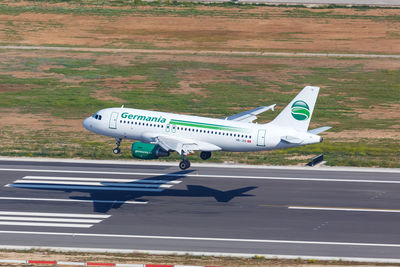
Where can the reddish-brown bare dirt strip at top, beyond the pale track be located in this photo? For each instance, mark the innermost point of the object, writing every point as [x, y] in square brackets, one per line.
[259, 28]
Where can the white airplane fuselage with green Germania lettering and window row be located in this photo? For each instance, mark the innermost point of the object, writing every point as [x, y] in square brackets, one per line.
[228, 135]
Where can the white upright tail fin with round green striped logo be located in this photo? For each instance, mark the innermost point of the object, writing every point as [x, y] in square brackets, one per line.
[297, 115]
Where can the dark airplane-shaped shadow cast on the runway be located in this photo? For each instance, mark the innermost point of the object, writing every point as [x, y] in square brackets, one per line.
[105, 200]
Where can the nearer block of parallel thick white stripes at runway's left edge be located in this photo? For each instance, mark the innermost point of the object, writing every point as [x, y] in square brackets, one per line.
[48, 219]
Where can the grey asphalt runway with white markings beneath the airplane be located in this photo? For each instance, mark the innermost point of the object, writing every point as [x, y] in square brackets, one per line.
[272, 211]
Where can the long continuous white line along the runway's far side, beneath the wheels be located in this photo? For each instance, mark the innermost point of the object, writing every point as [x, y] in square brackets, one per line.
[211, 176]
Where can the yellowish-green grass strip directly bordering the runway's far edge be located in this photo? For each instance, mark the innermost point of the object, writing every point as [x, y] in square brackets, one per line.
[44, 143]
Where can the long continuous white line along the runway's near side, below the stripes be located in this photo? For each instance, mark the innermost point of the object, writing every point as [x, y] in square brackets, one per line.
[213, 239]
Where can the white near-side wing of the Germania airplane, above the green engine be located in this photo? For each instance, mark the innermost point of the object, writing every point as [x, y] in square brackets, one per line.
[183, 145]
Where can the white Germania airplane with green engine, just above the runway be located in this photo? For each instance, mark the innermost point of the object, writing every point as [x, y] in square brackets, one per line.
[157, 134]
